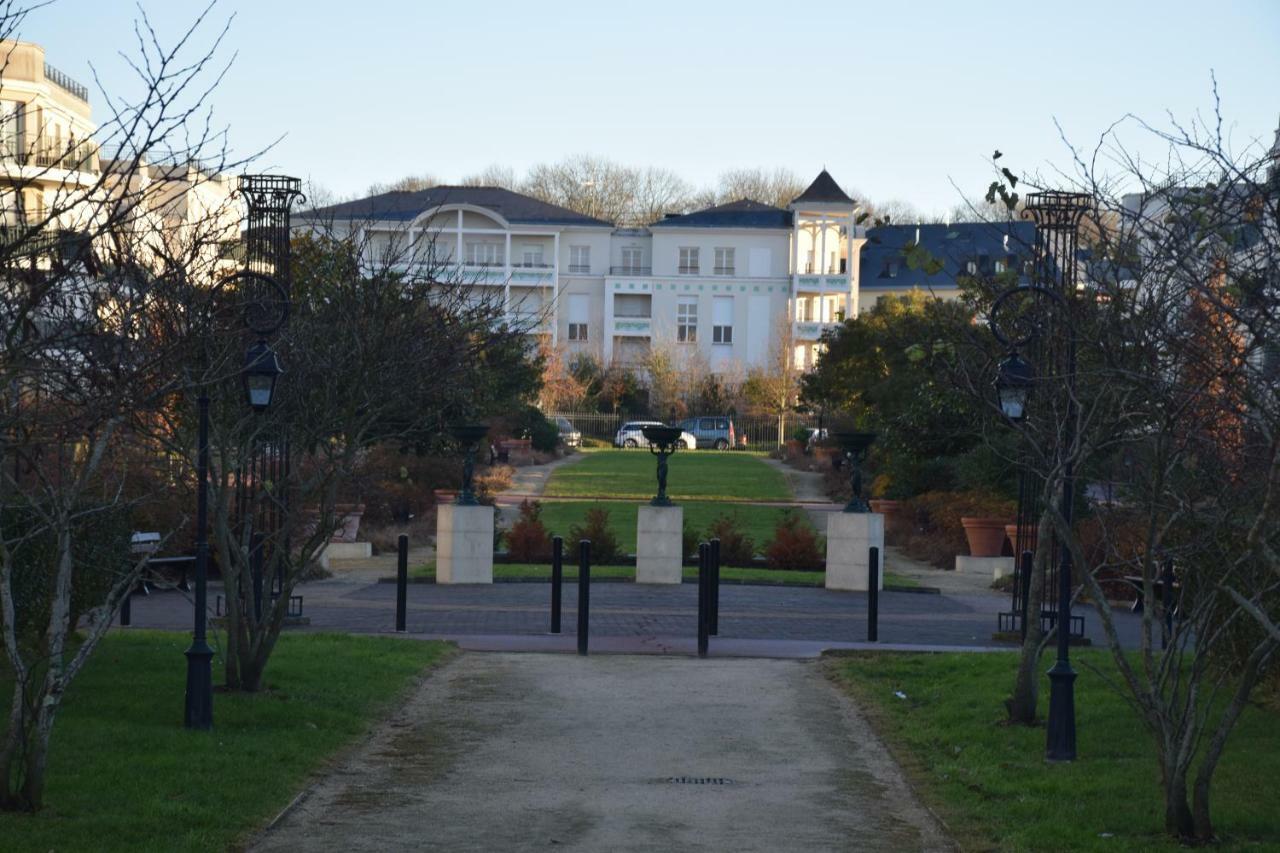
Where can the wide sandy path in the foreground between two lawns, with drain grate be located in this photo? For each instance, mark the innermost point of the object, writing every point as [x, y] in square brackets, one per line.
[534, 752]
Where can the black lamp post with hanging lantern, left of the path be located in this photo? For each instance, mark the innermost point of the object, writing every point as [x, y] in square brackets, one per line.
[260, 375]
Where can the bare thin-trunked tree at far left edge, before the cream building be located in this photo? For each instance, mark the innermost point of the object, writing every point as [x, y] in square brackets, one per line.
[95, 323]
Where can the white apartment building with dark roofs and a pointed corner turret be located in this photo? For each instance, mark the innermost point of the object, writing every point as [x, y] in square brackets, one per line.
[732, 286]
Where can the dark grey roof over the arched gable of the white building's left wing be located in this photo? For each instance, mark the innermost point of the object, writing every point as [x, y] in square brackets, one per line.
[405, 206]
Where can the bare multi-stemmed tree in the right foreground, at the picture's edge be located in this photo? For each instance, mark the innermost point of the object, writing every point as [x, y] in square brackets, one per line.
[1176, 398]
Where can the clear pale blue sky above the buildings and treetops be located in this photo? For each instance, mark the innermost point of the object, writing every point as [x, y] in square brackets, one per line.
[897, 99]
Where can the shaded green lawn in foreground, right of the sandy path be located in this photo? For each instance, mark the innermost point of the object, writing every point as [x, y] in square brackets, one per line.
[993, 787]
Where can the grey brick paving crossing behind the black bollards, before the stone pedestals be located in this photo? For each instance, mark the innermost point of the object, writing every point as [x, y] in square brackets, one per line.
[650, 613]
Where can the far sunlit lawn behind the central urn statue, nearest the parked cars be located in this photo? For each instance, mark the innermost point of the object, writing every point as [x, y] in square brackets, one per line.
[696, 476]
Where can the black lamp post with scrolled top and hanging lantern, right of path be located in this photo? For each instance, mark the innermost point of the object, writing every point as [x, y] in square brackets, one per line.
[1016, 381]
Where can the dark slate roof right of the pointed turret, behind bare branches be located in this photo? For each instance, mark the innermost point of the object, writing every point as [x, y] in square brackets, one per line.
[884, 263]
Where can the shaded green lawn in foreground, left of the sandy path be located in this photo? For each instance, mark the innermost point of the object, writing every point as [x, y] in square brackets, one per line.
[125, 776]
